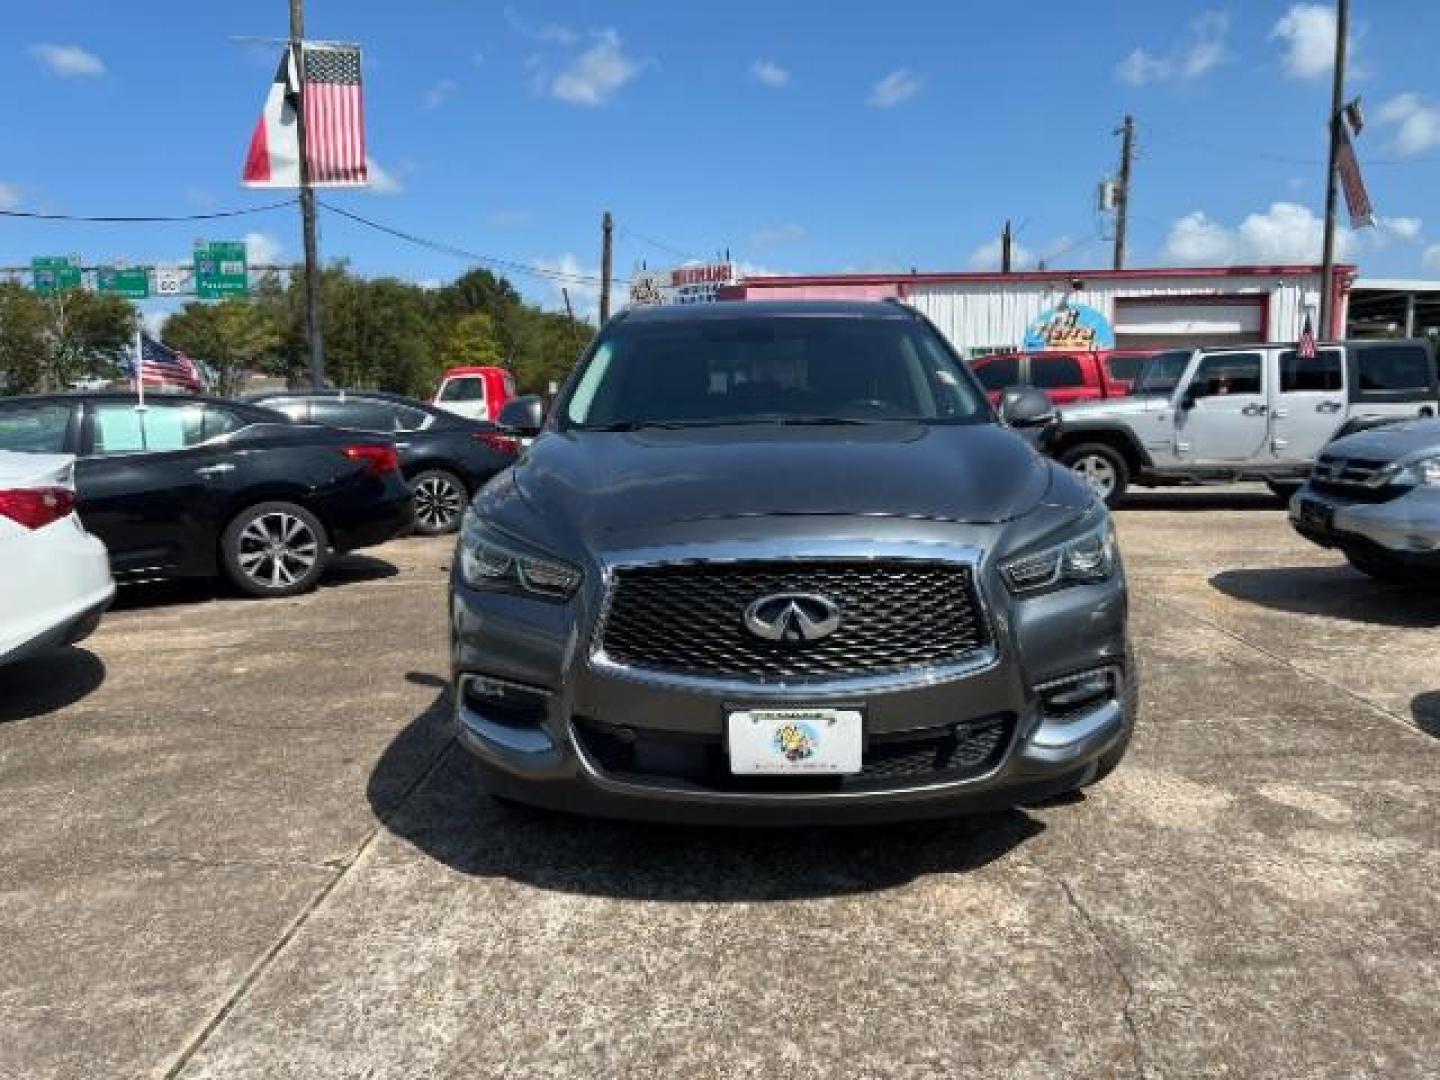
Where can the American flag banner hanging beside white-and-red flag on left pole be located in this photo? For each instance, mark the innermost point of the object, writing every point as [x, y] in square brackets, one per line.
[335, 116]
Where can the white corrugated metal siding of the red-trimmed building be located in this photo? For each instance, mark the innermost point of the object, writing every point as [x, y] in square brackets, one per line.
[997, 315]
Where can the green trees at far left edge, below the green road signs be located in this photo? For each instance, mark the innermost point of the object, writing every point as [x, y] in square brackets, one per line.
[50, 342]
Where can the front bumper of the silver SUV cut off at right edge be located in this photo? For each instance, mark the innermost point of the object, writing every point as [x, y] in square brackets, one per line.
[1408, 526]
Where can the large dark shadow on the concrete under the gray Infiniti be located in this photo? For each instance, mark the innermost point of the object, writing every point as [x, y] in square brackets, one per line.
[426, 791]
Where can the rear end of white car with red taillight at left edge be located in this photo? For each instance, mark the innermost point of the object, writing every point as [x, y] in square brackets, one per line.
[55, 578]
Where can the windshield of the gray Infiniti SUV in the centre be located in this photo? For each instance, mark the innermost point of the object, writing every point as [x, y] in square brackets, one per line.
[709, 372]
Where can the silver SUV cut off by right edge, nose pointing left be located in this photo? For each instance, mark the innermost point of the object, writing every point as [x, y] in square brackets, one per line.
[1376, 496]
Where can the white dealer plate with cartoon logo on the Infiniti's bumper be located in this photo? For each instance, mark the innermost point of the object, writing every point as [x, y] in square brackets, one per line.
[804, 742]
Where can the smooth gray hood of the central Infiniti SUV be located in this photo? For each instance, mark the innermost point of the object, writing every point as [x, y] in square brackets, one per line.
[611, 482]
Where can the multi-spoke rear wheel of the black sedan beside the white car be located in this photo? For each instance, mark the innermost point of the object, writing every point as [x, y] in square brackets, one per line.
[274, 549]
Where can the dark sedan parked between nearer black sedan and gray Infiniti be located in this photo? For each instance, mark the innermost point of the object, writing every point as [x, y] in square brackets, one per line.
[446, 457]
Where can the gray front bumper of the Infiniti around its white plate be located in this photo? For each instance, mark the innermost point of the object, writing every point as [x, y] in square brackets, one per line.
[580, 708]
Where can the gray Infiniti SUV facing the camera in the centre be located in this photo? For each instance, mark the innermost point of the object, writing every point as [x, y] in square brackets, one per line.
[783, 564]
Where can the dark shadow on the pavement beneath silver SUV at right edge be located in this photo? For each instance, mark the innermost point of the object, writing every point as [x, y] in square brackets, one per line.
[1331, 591]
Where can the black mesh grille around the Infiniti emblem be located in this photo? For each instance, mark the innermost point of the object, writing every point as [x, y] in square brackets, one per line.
[896, 616]
